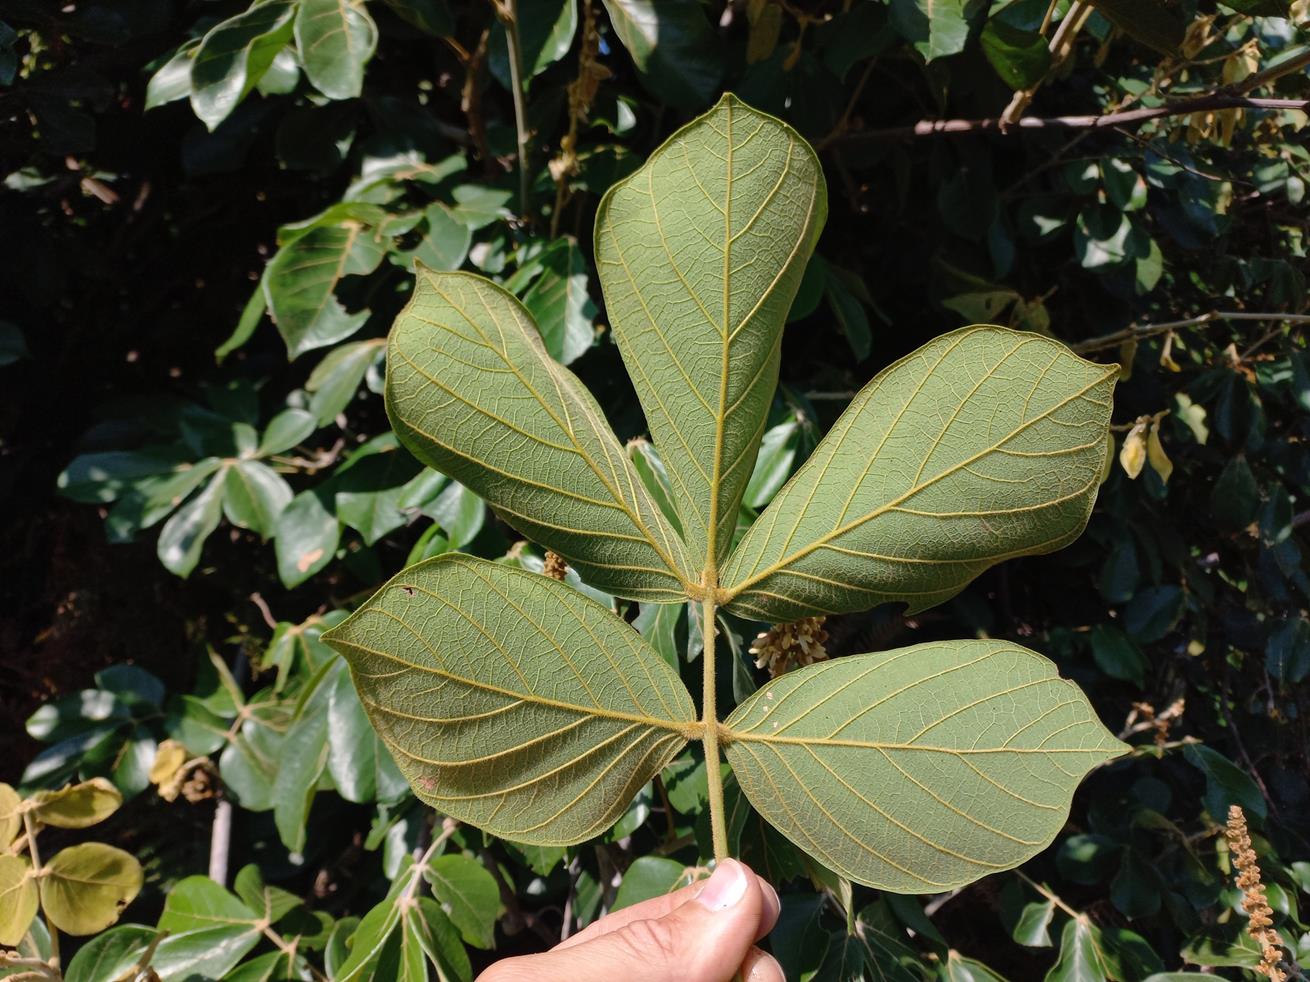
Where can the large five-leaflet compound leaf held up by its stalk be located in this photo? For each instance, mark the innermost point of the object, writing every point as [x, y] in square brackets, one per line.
[533, 713]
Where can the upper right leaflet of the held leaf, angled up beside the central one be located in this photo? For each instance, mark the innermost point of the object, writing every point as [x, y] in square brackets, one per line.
[983, 446]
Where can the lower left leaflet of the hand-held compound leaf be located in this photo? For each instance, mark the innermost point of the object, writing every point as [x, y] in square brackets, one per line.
[513, 702]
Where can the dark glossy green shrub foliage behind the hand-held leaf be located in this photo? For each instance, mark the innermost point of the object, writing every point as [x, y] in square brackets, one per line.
[213, 213]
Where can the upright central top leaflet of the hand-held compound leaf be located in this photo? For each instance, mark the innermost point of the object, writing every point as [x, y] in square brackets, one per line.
[700, 256]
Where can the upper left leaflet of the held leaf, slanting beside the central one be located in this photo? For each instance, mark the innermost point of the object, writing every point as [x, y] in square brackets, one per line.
[472, 392]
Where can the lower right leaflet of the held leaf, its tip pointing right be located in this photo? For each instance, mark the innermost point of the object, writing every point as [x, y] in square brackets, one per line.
[922, 769]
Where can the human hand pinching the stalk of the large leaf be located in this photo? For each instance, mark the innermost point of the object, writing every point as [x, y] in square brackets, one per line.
[704, 933]
